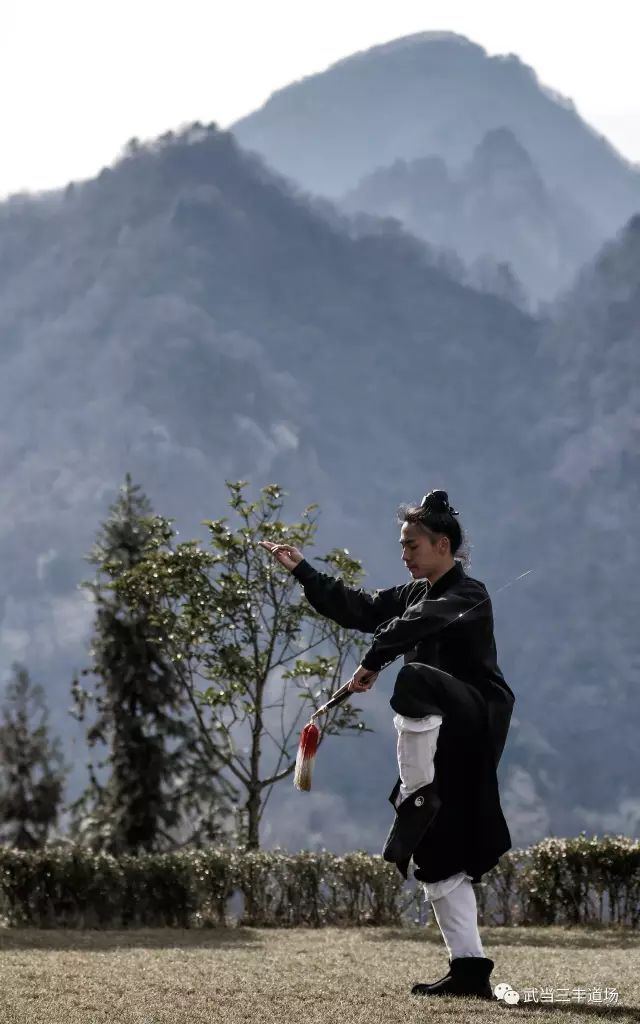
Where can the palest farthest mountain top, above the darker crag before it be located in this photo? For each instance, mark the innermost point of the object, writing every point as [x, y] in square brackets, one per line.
[435, 95]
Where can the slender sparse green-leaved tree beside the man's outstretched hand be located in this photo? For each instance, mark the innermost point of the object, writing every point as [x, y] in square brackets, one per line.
[232, 619]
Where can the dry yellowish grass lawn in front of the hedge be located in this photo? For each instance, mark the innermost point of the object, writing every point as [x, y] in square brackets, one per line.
[328, 976]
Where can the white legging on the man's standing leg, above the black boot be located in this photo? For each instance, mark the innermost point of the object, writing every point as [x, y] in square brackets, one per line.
[457, 915]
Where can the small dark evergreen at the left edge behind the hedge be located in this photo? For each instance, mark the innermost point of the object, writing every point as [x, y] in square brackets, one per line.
[32, 769]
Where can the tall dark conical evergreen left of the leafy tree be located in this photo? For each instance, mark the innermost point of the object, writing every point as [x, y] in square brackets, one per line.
[160, 792]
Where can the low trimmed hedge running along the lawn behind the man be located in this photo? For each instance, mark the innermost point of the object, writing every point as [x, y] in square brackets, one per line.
[575, 881]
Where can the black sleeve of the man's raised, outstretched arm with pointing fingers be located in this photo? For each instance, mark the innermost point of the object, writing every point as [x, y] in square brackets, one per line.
[354, 610]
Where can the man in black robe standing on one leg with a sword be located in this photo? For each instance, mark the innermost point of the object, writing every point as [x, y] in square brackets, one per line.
[453, 713]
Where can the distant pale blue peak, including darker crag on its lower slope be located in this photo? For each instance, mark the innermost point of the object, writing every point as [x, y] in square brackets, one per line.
[525, 186]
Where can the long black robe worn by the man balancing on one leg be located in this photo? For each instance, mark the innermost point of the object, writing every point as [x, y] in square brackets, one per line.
[449, 626]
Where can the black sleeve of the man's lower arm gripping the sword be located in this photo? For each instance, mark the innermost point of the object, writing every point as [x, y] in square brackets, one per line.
[418, 622]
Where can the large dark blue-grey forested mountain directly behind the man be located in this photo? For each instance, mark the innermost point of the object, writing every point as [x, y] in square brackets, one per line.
[190, 318]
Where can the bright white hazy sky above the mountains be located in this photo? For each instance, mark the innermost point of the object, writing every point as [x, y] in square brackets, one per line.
[79, 78]
